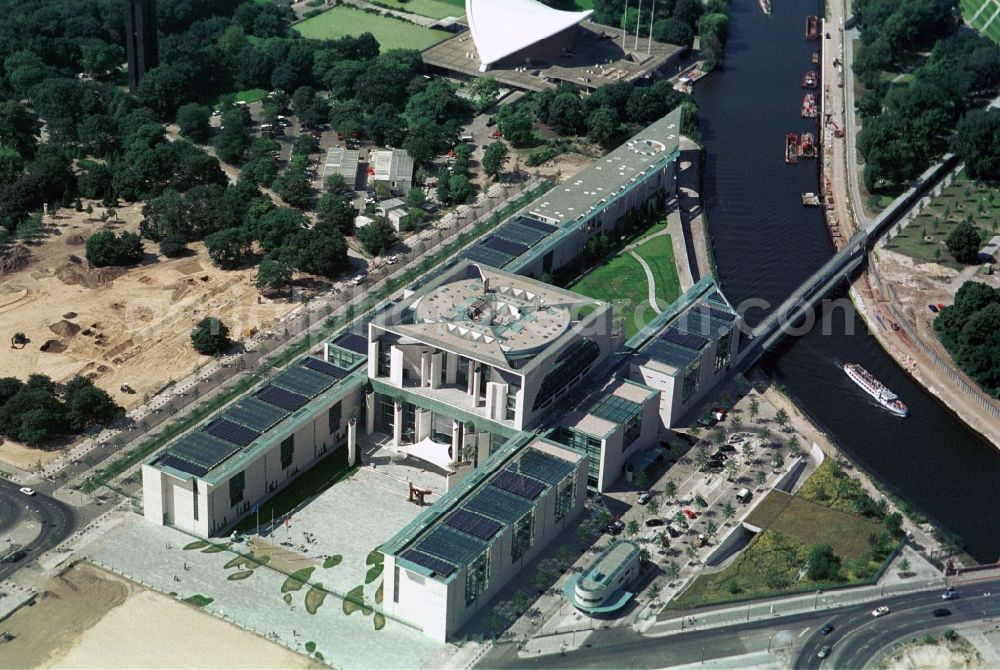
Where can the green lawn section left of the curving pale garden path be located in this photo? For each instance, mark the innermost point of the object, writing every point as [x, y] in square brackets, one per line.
[622, 282]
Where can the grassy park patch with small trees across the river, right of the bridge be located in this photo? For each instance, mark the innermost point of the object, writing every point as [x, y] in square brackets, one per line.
[964, 199]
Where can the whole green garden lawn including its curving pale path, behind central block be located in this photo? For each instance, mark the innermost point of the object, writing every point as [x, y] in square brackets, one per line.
[622, 280]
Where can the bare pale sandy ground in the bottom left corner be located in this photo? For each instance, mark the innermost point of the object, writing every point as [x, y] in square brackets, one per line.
[87, 618]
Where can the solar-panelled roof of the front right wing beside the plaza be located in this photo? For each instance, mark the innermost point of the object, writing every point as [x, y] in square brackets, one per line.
[455, 531]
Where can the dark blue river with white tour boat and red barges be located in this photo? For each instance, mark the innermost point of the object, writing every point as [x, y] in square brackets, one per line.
[766, 243]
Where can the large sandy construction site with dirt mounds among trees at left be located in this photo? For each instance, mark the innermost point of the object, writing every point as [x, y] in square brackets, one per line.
[119, 325]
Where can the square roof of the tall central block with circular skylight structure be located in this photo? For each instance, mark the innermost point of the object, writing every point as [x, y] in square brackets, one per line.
[496, 317]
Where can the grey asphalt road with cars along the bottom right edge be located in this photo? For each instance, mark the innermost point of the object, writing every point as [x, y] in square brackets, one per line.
[857, 636]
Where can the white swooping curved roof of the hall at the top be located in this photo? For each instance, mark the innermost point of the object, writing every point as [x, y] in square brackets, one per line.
[502, 27]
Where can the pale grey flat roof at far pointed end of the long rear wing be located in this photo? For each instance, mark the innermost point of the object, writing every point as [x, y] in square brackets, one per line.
[611, 175]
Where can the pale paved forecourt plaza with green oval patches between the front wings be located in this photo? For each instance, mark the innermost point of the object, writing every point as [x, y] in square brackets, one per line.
[334, 535]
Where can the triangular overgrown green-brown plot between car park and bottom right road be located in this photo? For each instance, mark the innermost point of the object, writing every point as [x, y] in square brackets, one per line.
[823, 512]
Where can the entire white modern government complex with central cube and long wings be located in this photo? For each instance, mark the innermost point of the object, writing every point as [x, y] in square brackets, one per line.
[523, 393]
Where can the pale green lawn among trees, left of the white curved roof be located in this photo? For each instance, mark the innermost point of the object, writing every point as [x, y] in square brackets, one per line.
[390, 33]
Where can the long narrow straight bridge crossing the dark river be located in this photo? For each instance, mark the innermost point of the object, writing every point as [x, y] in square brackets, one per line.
[797, 313]
